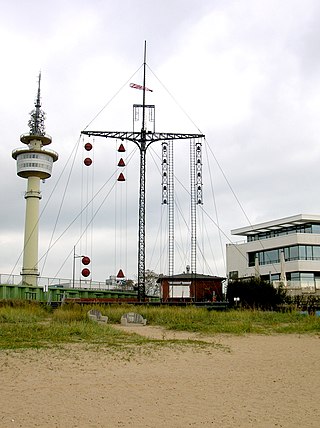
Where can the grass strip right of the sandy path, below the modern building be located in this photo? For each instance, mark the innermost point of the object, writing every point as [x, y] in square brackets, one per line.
[212, 322]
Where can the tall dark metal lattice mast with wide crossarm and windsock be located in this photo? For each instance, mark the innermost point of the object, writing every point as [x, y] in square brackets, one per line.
[142, 139]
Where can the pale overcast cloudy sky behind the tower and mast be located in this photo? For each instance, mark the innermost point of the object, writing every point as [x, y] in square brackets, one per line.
[244, 73]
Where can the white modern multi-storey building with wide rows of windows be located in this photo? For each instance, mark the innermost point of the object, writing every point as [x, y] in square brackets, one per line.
[286, 250]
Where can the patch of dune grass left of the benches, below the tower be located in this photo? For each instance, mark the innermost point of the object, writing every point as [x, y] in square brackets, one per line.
[33, 326]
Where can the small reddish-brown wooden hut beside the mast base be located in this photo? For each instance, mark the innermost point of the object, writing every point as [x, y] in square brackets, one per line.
[190, 287]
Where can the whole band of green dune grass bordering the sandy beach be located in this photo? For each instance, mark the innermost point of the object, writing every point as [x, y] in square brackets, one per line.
[34, 326]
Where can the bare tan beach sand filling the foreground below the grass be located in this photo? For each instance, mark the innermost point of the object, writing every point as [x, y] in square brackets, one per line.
[248, 381]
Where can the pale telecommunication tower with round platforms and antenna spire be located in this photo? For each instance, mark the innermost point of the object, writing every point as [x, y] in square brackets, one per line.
[35, 164]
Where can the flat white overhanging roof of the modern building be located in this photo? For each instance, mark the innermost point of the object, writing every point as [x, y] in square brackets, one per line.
[277, 224]
